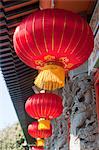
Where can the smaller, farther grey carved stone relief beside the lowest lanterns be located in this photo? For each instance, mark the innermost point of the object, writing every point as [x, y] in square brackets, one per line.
[58, 140]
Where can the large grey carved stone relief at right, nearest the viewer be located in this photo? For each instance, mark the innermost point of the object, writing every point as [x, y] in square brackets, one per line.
[79, 102]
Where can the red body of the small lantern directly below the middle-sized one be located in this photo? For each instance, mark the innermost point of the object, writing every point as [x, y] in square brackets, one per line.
[35, 133]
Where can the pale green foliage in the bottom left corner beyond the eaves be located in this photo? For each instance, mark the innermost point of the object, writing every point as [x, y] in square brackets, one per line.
[12, 138]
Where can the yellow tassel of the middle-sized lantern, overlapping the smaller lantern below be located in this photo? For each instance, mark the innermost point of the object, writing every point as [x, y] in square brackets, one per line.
[43, 124]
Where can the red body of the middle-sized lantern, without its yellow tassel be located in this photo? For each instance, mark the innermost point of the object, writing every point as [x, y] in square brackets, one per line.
[44, 105]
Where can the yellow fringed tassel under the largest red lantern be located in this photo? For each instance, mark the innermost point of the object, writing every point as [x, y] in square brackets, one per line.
[51, 77]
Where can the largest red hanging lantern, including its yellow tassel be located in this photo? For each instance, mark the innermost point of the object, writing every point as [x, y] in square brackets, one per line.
[53, 41]
